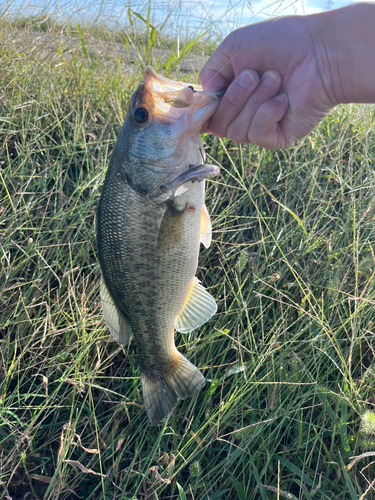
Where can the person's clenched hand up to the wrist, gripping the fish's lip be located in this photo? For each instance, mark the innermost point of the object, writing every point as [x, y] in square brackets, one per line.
[293, 93]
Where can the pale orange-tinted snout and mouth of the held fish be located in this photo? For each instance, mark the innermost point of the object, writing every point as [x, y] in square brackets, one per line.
[169, 101]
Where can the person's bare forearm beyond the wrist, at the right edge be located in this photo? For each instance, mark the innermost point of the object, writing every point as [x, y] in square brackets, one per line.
[345, 44]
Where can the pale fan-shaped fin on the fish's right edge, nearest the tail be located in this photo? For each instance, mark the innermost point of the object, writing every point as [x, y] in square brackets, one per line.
[198, 308]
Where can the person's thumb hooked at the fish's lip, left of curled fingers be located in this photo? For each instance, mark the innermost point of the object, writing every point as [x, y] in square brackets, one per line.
[217, 73]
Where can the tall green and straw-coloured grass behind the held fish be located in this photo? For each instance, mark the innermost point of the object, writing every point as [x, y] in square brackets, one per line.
[288, 359]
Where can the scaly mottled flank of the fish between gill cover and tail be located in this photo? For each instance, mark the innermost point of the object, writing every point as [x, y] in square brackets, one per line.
[148, 285]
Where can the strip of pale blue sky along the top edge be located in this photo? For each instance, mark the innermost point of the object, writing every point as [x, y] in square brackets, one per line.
[188, 15]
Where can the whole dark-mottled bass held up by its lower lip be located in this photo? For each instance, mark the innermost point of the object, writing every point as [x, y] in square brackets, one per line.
[150, 221]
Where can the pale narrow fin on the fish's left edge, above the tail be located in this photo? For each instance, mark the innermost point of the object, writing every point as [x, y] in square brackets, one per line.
[118, 324]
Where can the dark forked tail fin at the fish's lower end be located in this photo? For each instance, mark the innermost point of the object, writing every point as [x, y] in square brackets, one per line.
[161, 391]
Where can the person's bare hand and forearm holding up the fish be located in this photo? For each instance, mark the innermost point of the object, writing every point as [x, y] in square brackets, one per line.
[284, 75]
